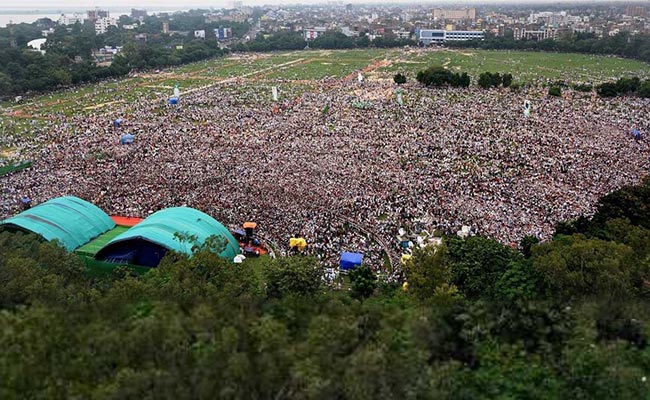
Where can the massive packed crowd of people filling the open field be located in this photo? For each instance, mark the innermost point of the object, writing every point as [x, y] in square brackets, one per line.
[347, 178]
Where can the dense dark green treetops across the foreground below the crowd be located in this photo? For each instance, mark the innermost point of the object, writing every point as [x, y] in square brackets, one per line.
[564, 319]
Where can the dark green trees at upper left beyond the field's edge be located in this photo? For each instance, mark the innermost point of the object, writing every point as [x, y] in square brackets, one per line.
[68, 58]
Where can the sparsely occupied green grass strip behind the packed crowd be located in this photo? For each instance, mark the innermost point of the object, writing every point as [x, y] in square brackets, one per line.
[301, 67]
